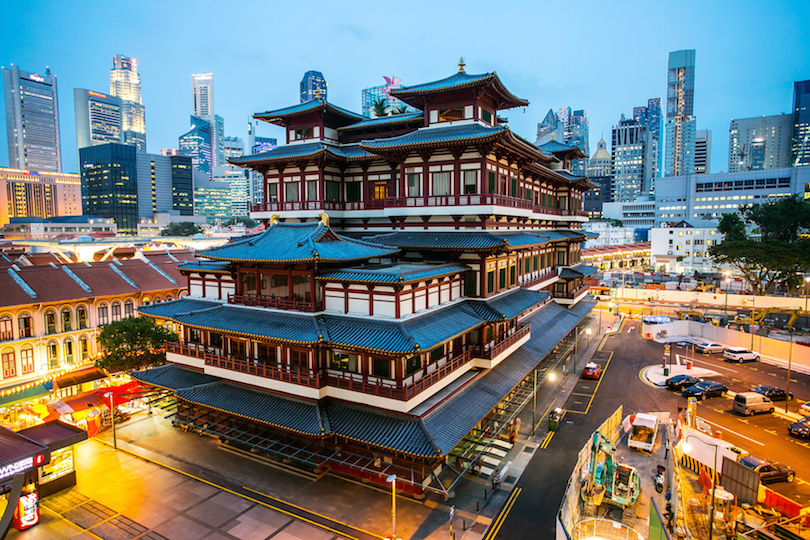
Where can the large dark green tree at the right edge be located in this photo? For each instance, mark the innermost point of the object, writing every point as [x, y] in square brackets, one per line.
[777, 254]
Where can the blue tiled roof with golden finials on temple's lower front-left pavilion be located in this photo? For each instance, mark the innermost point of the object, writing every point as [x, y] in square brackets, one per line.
[283, 243]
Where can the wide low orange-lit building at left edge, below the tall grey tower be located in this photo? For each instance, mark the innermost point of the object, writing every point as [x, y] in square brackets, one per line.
[40, 194]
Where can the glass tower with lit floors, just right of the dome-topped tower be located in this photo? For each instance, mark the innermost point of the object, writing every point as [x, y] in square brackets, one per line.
[631, 160]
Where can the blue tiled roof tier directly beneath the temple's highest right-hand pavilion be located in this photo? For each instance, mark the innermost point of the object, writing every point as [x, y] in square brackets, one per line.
[429, 137]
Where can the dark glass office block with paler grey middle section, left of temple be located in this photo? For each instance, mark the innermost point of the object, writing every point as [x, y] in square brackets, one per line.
[121, 183]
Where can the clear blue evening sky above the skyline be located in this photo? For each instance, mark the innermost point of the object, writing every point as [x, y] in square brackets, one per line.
[604, 57]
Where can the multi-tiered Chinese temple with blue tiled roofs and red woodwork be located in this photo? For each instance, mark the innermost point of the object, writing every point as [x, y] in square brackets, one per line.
[377, 325]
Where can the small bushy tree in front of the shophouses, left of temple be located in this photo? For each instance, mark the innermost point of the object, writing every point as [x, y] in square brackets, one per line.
[133, 343]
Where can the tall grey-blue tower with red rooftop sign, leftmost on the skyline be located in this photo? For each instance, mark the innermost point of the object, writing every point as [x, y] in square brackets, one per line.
[32, 120]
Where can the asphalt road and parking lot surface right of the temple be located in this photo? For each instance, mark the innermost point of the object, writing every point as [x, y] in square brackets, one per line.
[544, 481]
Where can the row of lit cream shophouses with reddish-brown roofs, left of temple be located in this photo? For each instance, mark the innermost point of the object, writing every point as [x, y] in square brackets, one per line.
[49, 314]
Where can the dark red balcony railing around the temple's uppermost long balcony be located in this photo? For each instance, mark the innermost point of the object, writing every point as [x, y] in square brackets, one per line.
[475, 199]
